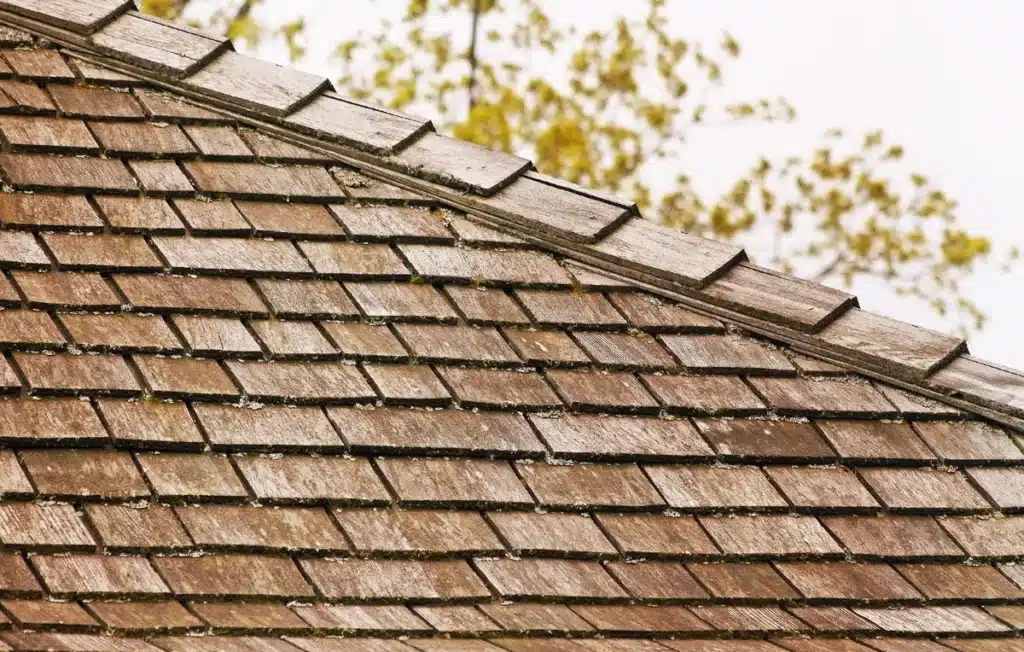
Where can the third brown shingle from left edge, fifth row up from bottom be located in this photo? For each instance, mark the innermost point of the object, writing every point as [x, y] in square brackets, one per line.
[189, 476]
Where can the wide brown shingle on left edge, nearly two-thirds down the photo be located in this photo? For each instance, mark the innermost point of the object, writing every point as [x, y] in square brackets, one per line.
[51, 421]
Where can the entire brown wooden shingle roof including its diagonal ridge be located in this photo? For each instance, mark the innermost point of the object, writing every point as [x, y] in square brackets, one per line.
[284, 372]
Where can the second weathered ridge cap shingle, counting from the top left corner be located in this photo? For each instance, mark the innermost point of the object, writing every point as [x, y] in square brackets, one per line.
[158, 46]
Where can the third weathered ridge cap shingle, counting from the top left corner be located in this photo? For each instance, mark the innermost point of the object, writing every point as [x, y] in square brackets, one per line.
[258, 85]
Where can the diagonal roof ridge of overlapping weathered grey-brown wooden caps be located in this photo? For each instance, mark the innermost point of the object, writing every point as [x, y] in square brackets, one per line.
[506, 192]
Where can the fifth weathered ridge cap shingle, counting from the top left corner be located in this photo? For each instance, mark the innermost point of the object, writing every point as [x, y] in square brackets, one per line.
[460, 164]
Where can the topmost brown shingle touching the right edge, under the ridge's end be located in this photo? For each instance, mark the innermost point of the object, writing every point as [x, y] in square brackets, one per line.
[968, 442]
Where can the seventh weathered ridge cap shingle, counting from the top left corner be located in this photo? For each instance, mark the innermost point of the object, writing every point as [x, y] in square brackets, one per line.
[668, 253]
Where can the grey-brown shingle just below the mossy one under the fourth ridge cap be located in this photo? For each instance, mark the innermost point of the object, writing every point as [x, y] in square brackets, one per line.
[393, 223]
